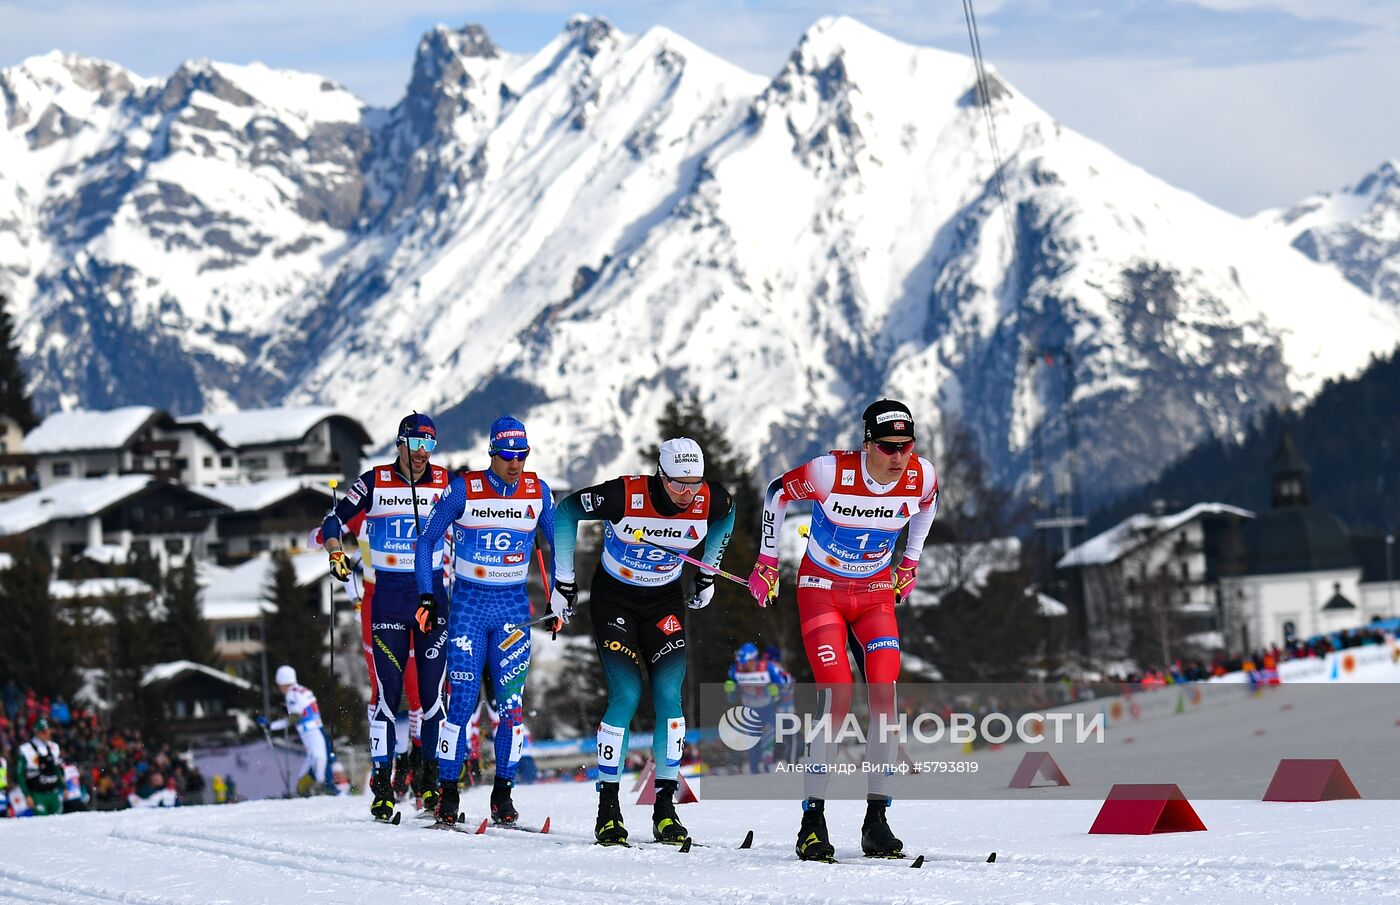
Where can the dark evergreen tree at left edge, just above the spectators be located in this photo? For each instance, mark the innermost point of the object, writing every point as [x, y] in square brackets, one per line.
[37, 647]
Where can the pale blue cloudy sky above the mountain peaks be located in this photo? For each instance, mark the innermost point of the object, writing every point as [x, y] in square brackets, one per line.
[1249, 104]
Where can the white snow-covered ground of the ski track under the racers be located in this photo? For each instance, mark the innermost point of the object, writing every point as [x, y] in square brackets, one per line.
[328, 851]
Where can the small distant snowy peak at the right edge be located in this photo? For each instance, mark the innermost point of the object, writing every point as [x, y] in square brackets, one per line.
[1356, 230]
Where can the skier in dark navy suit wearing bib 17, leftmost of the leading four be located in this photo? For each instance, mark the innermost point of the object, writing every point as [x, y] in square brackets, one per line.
[395, 499]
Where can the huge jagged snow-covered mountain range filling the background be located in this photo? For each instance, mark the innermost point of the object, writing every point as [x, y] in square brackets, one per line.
[583, 233]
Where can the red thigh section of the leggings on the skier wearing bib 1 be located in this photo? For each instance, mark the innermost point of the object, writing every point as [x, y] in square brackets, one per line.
[836, 612]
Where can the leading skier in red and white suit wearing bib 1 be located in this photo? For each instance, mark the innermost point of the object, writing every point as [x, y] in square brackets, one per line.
[862, 502]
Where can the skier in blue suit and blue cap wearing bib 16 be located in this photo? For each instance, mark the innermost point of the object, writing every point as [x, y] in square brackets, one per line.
[495, 516]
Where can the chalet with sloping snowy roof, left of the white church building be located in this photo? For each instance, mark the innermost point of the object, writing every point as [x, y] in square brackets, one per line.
[1156, 579]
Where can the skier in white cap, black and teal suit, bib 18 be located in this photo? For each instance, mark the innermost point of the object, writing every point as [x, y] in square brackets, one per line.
[639, 614]
